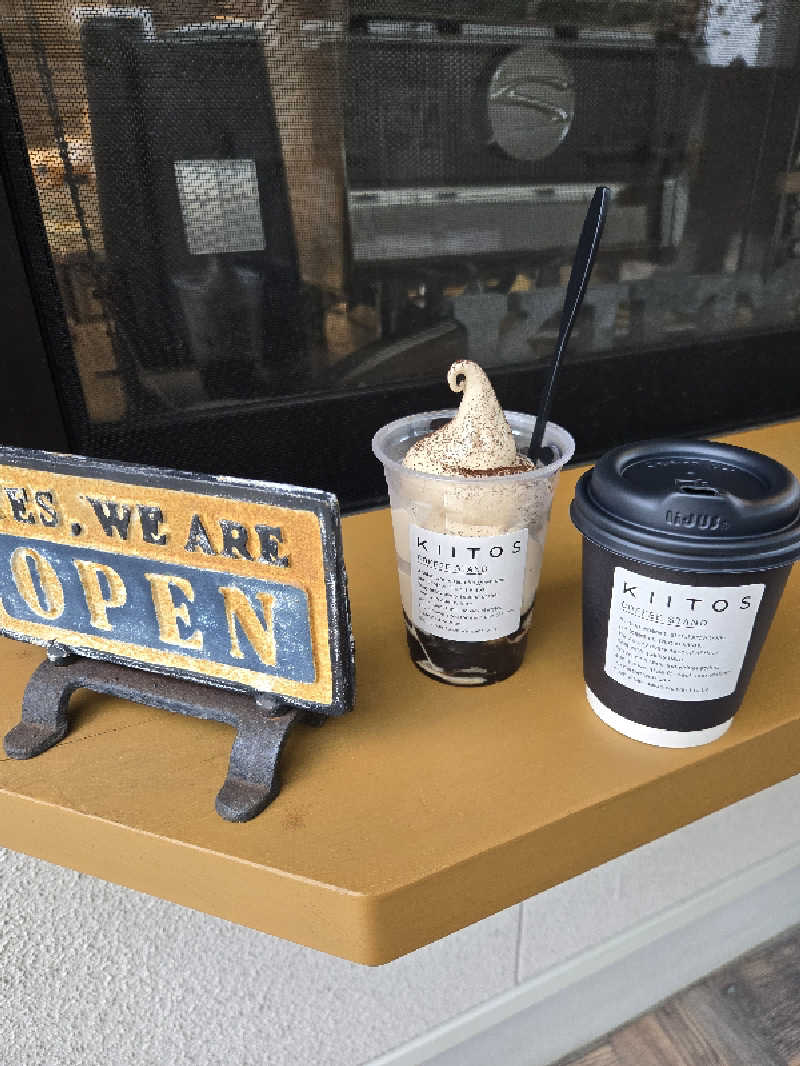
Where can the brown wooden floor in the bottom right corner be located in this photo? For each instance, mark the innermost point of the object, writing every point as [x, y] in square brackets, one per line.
[747, 1014]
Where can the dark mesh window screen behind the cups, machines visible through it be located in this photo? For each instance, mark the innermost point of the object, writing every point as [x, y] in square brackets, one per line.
[246, 202]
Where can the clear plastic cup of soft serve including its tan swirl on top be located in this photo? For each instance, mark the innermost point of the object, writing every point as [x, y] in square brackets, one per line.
[470, 512]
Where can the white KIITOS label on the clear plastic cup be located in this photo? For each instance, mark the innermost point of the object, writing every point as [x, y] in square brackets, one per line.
[468, 588]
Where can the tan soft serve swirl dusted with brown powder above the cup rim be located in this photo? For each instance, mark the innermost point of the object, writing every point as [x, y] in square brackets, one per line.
[478, 442]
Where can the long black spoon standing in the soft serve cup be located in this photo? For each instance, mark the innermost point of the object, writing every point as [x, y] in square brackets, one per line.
[582, 271]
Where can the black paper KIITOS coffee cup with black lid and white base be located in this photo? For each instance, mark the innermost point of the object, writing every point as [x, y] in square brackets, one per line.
[687, 548]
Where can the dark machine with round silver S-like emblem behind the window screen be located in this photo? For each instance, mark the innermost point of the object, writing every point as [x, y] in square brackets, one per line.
[467, 140]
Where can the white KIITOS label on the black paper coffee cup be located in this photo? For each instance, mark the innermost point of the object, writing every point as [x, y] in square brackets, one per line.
[679, 642]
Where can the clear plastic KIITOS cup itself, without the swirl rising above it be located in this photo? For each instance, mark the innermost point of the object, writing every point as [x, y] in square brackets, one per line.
[469, 552]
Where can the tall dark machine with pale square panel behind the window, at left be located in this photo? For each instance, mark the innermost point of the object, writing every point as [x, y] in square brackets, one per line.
[200, 252]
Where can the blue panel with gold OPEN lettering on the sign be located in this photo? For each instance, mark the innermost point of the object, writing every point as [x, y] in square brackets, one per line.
[209, 616]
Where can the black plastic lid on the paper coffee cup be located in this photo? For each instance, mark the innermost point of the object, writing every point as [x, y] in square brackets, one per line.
[692, 506]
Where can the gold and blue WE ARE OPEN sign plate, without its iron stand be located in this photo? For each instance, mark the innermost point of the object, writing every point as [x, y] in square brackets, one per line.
[236, 584]
